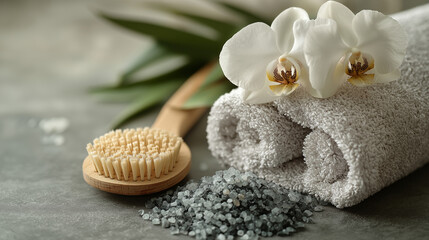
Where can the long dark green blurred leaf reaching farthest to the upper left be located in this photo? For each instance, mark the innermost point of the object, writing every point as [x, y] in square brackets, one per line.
[172, 39]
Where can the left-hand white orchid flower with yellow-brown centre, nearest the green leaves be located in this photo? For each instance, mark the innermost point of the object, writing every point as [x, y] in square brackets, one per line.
[267, 62]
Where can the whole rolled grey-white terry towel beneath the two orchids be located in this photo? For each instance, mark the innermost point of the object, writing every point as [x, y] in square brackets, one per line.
[342, 149]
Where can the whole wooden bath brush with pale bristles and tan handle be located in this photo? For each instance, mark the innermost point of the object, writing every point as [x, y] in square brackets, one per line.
[146, 160]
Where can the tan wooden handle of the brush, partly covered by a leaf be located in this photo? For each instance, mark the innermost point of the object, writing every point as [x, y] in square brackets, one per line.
[172, 116]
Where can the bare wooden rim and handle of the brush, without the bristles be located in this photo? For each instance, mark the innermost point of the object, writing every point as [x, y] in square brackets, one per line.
[171, 118]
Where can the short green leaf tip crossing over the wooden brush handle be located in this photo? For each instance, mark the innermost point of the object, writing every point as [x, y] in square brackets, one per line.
[205, 97]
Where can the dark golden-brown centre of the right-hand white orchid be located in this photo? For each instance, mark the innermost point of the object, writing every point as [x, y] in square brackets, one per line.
[359, 66]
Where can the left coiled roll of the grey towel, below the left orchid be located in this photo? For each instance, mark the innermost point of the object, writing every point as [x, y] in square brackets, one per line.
[252, 136]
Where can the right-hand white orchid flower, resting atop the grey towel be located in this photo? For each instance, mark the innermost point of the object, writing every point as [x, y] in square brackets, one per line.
[365, 48]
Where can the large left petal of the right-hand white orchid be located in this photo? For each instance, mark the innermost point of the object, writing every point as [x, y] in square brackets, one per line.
[323, 50]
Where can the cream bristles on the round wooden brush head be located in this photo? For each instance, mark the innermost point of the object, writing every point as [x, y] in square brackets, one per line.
[135, 154]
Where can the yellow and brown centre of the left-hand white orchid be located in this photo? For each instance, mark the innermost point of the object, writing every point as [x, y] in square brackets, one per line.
[283, 73]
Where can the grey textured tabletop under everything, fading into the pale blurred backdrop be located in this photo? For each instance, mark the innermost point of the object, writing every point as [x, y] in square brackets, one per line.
[51, 52]
